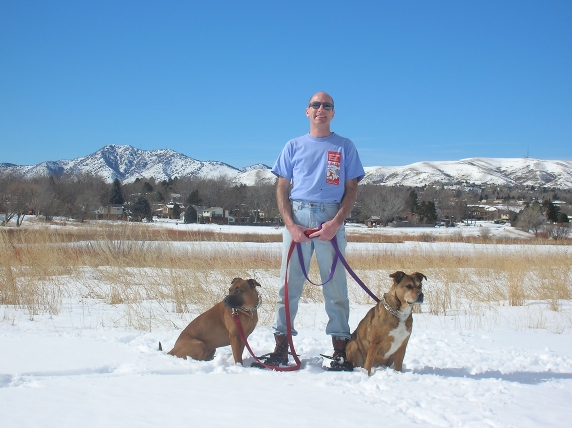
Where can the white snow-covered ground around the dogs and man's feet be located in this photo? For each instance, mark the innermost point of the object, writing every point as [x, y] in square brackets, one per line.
[79, 369]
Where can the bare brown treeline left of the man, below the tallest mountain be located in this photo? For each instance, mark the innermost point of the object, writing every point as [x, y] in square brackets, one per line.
[78, 197]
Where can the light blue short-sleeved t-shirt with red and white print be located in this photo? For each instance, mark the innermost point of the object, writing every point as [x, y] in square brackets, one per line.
[318, 167]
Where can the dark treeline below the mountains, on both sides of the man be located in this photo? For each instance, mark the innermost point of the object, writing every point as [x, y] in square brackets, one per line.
[79, 196]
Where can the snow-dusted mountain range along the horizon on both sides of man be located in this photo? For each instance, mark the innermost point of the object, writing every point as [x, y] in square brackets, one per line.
[128, 164]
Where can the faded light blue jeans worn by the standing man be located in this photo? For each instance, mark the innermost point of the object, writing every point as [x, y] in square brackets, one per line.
[311, 215]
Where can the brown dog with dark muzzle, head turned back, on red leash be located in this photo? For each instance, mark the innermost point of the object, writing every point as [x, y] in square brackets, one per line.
[216, 327]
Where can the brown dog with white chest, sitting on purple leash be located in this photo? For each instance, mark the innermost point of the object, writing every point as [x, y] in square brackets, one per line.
[382, 335]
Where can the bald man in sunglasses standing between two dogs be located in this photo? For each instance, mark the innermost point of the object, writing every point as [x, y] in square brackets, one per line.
[318, 175]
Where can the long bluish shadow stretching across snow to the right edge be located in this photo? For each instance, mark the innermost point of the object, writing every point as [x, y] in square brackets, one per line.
[529, 378]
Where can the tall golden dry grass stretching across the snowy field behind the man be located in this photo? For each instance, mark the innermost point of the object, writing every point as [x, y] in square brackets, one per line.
[153, 273]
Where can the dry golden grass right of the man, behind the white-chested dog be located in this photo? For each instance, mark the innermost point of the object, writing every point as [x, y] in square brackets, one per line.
[487, 276]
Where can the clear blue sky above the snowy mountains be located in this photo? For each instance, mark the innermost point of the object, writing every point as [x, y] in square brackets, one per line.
[229, 80]
